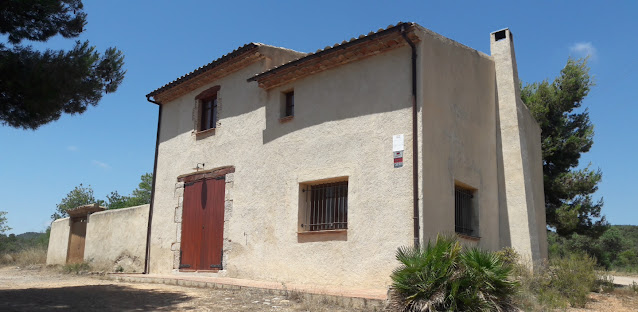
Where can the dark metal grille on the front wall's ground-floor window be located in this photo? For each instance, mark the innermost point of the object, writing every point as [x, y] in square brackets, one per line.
[327, 206]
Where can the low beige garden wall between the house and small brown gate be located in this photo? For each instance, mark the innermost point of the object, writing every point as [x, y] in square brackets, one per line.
[116, 239]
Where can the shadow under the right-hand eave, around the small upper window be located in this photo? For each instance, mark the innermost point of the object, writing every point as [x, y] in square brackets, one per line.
[370, 86]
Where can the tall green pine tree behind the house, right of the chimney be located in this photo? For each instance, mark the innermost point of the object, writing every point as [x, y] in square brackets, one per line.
[567, 133]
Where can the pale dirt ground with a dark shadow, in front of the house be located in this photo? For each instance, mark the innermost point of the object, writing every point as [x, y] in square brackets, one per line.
[42, 289]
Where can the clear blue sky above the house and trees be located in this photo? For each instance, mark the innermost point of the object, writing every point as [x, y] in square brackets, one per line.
[110, 146]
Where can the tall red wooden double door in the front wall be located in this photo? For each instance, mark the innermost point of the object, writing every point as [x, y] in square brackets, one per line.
[203, 225]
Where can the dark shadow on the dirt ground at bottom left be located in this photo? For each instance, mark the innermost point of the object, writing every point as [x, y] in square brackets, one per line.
[90, 298]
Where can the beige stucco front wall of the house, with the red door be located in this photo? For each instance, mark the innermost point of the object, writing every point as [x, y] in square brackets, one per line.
[342, 127]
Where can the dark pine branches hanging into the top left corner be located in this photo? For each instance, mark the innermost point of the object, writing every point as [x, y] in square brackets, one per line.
[37, 87]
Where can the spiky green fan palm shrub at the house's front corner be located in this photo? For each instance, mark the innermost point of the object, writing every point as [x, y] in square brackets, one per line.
[444, 276]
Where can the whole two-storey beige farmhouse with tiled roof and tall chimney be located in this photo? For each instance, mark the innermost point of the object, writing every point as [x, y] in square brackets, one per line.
[312, 168]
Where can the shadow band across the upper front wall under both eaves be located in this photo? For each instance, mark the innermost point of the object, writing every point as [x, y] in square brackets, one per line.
[370, 86]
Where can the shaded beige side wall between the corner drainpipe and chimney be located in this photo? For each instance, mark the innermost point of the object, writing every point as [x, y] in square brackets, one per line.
[459, 142]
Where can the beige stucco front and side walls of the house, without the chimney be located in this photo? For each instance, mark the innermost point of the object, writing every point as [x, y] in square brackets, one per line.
[343, 126]
